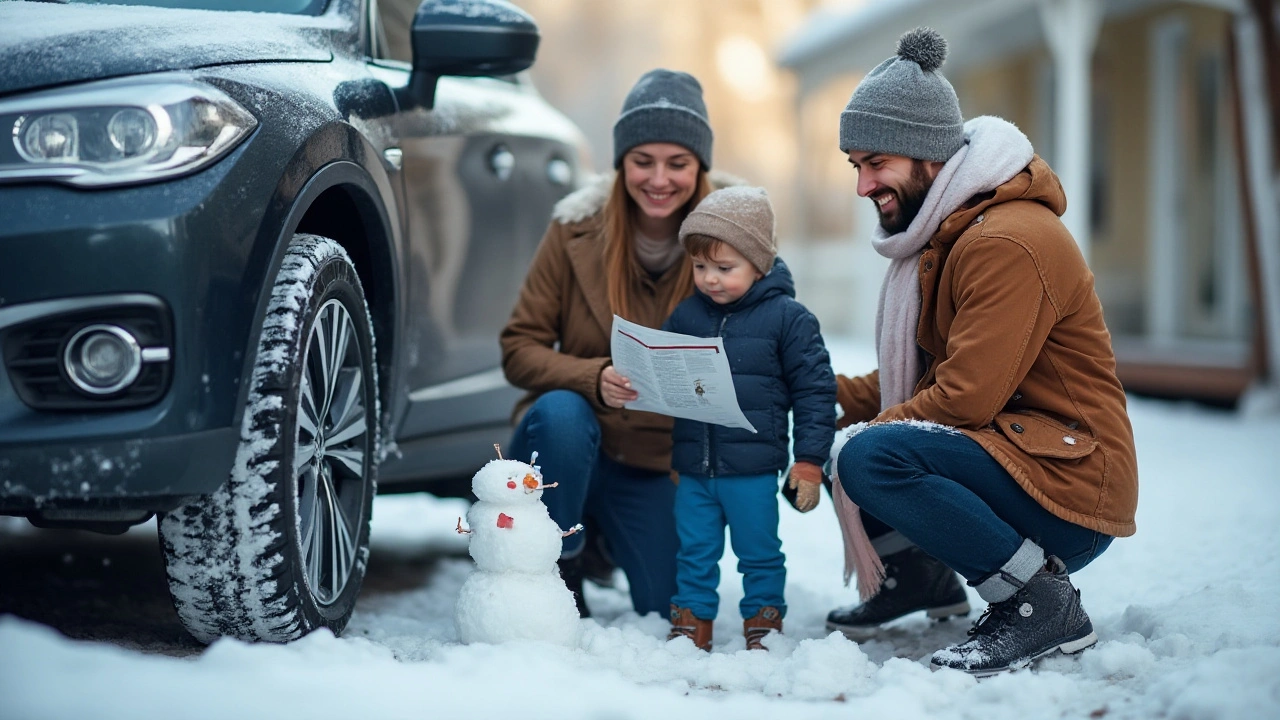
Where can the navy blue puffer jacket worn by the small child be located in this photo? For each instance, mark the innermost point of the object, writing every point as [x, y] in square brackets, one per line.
[780, 364]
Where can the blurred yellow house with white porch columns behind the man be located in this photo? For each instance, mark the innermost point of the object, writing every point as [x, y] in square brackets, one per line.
[1162, 120]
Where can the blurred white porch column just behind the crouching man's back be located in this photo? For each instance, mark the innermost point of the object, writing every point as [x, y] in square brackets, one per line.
[1072, 31]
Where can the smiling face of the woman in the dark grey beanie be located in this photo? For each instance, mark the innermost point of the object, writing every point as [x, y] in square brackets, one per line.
[660, 177]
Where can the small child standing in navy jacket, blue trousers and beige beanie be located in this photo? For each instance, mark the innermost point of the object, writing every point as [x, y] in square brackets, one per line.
[780, 364]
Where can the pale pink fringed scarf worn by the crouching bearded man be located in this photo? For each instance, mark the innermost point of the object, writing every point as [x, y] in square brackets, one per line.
[995, 152]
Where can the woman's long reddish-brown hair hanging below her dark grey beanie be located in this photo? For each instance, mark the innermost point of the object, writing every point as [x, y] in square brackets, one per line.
[621, 267]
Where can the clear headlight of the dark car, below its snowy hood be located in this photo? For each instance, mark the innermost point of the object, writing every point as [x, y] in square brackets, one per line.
[120, 133]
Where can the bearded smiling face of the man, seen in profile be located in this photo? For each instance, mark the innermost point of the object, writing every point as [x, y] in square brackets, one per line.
[897, 185]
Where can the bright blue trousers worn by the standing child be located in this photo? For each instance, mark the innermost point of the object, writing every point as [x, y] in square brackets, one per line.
[749, 507]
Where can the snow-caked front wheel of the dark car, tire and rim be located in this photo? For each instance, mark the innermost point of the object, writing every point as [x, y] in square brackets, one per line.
[281, 549]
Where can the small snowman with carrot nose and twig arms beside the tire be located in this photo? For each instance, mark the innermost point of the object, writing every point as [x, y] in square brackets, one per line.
[516, 591]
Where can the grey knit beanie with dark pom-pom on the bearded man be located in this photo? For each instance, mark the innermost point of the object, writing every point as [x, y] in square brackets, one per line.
[906, 107]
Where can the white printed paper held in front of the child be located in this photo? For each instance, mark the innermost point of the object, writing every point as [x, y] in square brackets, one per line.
[678, 375]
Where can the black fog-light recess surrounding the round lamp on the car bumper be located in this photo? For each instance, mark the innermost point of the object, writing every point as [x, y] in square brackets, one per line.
[34, 357]
